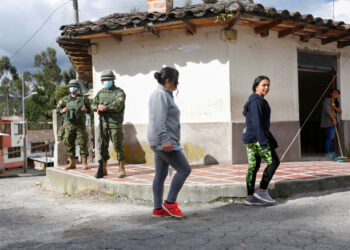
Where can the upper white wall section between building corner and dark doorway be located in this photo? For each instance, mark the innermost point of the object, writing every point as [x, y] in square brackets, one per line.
[253, 55]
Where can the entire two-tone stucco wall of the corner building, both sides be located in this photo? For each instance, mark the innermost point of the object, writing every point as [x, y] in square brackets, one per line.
[215, 81]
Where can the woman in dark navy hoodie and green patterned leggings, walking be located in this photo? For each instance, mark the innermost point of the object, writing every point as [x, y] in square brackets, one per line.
[259, 142]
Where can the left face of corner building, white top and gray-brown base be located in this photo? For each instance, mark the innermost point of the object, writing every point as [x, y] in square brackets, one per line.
[203, 97]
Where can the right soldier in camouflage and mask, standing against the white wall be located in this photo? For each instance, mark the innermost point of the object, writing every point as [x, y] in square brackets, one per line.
[110, 103]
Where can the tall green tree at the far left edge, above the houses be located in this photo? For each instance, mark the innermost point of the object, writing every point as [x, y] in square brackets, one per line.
[8, 76]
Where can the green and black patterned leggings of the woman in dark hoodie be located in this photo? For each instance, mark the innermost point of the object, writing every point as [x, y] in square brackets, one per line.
[255, 154]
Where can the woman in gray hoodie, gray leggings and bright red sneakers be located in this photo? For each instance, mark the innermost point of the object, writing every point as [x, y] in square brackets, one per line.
[164, 139]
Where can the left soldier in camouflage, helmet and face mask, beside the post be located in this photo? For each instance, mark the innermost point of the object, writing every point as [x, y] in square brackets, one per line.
[74, 107]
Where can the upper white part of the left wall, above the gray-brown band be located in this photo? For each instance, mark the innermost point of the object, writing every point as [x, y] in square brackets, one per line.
[201, 60]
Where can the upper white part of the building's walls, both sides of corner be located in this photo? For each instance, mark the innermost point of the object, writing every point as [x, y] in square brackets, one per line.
[215, 76]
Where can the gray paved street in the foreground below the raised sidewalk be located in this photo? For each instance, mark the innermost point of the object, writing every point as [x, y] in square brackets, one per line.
[33, 218]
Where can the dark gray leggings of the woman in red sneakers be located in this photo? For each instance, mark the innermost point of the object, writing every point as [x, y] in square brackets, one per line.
[162, 161]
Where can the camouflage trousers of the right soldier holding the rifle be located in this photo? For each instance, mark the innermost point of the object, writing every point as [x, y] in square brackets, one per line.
[113, 132]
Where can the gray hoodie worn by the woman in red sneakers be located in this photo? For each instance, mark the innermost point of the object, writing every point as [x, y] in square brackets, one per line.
[164, 118]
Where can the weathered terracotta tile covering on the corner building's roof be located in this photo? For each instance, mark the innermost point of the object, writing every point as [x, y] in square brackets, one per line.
[119, 21]
